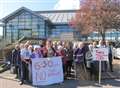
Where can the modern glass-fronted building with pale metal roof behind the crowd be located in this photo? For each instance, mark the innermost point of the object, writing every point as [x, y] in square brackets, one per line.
[43, 24]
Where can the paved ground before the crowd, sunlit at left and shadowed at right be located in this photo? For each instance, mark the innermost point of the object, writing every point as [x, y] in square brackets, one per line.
[8, 80]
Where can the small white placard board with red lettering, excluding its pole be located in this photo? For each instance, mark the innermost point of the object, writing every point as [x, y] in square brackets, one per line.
[100, 54]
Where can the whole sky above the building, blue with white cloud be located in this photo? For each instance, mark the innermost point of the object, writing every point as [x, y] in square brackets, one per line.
[9, 6]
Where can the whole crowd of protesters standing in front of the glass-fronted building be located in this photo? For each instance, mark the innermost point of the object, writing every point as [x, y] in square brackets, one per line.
[73, 56]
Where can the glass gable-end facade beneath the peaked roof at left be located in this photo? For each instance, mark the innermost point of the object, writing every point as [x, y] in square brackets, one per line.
[25, 24]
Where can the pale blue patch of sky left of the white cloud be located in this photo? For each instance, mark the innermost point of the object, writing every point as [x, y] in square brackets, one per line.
[8, 6]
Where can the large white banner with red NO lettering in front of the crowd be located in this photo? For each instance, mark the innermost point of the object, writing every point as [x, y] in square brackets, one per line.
[46, 71]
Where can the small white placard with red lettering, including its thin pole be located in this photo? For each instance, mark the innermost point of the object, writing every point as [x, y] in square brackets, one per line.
[100, 54]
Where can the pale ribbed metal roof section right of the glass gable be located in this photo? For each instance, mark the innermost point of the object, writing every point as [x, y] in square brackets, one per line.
[58, 16]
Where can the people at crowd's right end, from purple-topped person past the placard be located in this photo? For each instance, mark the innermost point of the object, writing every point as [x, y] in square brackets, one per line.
[86, 66]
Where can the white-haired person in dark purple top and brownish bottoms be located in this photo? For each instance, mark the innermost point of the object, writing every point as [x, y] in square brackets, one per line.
[79, 62]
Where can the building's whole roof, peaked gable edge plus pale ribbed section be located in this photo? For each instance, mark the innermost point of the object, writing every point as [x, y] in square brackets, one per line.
[55, 16]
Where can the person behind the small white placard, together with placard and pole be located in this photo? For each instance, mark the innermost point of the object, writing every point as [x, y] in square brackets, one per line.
[101, 54]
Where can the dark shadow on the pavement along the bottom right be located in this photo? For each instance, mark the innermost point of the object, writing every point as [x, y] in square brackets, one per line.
[86, 84]
